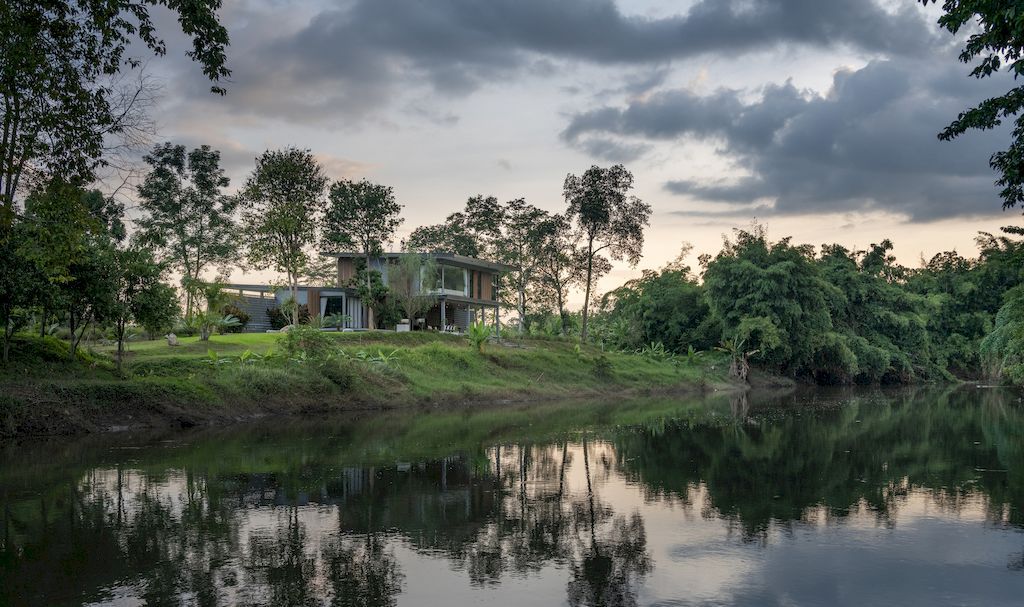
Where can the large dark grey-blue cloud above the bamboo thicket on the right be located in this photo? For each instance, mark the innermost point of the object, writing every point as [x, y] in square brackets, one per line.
[869, 144]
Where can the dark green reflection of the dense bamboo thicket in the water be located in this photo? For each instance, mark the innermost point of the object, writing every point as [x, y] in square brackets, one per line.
[870, 453]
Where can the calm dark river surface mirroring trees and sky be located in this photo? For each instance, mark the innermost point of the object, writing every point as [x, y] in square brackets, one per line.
[819, 499]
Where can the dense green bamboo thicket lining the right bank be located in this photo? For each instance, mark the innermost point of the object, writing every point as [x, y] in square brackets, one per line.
[835, 316]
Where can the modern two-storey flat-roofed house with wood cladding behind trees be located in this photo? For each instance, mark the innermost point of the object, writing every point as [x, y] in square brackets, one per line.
[466, 292]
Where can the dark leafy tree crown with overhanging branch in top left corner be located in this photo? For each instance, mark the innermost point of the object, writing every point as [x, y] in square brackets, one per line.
[59, 61]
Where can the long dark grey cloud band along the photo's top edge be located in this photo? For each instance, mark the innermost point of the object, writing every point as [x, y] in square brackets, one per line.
[356, 60]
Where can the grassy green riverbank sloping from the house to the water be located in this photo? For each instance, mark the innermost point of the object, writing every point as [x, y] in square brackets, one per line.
[242, 377]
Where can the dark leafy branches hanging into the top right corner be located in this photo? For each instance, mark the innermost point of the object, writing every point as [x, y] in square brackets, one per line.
[997, 36]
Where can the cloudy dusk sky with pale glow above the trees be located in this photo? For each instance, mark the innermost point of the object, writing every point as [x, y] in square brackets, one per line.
[817, 119]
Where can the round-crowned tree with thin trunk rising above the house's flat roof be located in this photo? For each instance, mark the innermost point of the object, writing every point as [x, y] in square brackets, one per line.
[362, 215]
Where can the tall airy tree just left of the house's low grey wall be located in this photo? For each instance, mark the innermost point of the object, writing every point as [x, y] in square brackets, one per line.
[188, 220]
